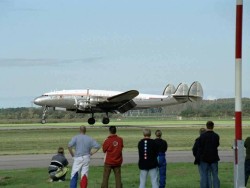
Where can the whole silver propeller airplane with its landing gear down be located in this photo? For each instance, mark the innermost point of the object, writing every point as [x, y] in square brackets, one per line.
[90, 101]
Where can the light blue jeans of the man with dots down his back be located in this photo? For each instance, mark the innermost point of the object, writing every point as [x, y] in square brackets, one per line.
[153, 175]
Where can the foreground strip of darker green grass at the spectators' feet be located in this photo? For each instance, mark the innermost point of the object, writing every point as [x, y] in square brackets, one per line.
[179, 175]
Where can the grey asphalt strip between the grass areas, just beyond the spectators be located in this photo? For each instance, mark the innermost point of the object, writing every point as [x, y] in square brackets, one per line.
[43, 160]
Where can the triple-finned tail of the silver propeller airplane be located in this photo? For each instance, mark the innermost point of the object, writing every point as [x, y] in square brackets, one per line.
[183, 93]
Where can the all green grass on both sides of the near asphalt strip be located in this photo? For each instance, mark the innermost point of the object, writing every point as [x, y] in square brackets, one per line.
[41, 139]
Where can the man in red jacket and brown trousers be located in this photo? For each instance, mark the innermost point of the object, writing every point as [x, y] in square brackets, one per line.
[112, 147]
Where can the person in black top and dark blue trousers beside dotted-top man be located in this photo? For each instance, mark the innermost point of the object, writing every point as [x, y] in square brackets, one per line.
[162, 163]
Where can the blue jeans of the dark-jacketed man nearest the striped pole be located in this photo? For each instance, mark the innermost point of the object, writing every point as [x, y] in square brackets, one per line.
[206, 169]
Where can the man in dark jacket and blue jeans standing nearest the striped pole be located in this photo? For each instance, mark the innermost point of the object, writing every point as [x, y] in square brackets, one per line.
[208, 152]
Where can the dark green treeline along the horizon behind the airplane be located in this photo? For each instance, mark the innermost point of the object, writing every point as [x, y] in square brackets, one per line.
[221, 108]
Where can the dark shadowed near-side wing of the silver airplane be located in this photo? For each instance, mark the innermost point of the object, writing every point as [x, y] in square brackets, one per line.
[121, 102]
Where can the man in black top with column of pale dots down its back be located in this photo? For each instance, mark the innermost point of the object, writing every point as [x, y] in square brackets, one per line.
[147, 149]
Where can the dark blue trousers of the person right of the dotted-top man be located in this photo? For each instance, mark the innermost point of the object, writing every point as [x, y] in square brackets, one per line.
[162, 170]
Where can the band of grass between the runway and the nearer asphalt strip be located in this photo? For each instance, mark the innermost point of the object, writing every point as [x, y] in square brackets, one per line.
[46, 139]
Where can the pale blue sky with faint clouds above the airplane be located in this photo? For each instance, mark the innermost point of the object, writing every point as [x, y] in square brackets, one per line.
[48, 45]
